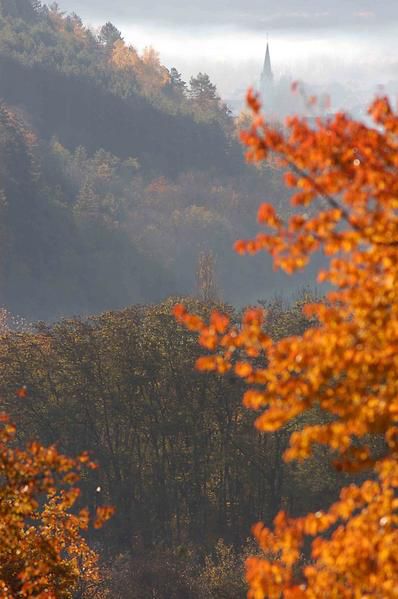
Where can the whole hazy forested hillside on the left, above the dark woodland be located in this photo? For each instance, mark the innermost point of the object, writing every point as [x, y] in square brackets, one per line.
[115, 173]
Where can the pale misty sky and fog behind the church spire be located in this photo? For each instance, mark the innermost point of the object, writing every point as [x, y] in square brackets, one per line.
[351, 41]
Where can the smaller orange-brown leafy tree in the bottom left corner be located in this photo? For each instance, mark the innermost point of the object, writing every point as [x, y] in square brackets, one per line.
[43, 552]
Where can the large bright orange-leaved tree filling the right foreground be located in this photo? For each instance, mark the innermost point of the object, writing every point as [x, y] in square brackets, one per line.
[344, 176]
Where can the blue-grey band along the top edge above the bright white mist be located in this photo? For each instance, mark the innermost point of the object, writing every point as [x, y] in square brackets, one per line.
[256, 14]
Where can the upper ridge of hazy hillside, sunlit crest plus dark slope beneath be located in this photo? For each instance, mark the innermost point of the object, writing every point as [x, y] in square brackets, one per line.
[73, 85]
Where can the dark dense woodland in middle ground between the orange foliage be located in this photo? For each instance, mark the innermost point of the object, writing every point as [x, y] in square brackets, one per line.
[178, 456]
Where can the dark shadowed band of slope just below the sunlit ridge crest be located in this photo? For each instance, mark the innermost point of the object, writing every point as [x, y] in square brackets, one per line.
[79, 111]
